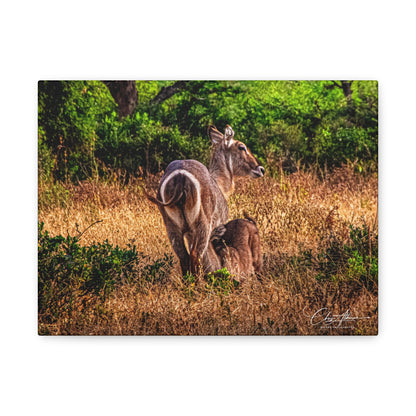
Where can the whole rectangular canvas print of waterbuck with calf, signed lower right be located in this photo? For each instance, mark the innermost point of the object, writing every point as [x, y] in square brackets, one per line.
[207, 207]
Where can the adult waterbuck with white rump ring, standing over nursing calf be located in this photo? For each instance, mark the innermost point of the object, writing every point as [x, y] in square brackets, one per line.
[192, 198]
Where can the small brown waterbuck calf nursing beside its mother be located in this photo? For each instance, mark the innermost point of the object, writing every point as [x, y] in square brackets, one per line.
[237, 244]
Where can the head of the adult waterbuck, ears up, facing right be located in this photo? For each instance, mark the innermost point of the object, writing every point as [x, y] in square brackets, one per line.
[234, 154]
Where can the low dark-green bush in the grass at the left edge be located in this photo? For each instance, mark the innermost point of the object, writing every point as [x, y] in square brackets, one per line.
[67, 271]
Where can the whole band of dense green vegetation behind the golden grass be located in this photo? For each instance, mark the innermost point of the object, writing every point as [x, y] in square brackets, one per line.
[285, 123]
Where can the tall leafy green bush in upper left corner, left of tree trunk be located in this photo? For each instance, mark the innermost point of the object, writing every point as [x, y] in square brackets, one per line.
[69, 113]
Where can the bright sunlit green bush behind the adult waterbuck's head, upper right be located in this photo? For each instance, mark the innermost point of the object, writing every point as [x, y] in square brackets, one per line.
[283, 119]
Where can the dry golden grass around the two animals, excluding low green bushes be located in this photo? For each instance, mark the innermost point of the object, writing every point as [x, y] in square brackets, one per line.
[293, 212]
